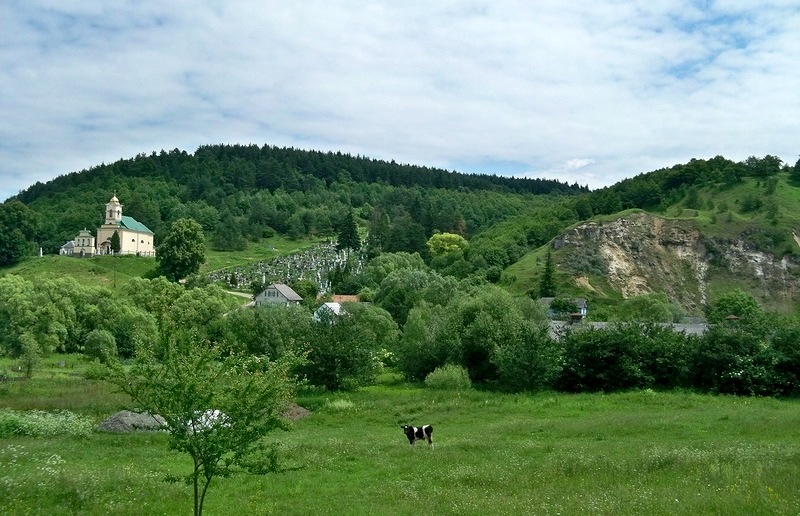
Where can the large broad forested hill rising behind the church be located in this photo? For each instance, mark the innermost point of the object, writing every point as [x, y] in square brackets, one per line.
[246, 192]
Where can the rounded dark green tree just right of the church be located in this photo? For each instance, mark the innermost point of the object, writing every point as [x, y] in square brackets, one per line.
[182, 251]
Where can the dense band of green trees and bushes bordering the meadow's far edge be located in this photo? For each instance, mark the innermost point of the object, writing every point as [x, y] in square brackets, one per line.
[419, 321]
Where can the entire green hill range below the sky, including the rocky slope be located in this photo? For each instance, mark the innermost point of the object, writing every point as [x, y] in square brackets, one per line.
[690, 231]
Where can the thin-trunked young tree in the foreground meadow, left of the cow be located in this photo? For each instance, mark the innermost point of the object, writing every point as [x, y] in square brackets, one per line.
[218, 404]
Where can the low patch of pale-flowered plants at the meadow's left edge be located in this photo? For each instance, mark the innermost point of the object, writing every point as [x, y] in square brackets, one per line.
[37, 423]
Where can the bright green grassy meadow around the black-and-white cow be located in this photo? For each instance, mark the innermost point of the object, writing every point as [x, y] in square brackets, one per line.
[641, 452]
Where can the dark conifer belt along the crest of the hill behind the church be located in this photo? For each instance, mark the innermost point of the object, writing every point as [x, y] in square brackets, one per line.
[243, 167]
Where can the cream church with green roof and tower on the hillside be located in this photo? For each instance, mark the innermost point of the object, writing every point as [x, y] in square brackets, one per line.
[134, 237]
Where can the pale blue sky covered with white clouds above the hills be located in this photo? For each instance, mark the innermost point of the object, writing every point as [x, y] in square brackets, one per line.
[586, 91]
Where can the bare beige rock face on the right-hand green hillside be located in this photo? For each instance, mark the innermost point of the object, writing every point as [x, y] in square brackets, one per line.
[643, 253]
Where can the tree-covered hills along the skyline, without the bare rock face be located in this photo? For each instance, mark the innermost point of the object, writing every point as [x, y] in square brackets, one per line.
[242, 194]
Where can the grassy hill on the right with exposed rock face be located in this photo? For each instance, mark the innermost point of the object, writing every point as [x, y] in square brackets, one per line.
[711, 238]
